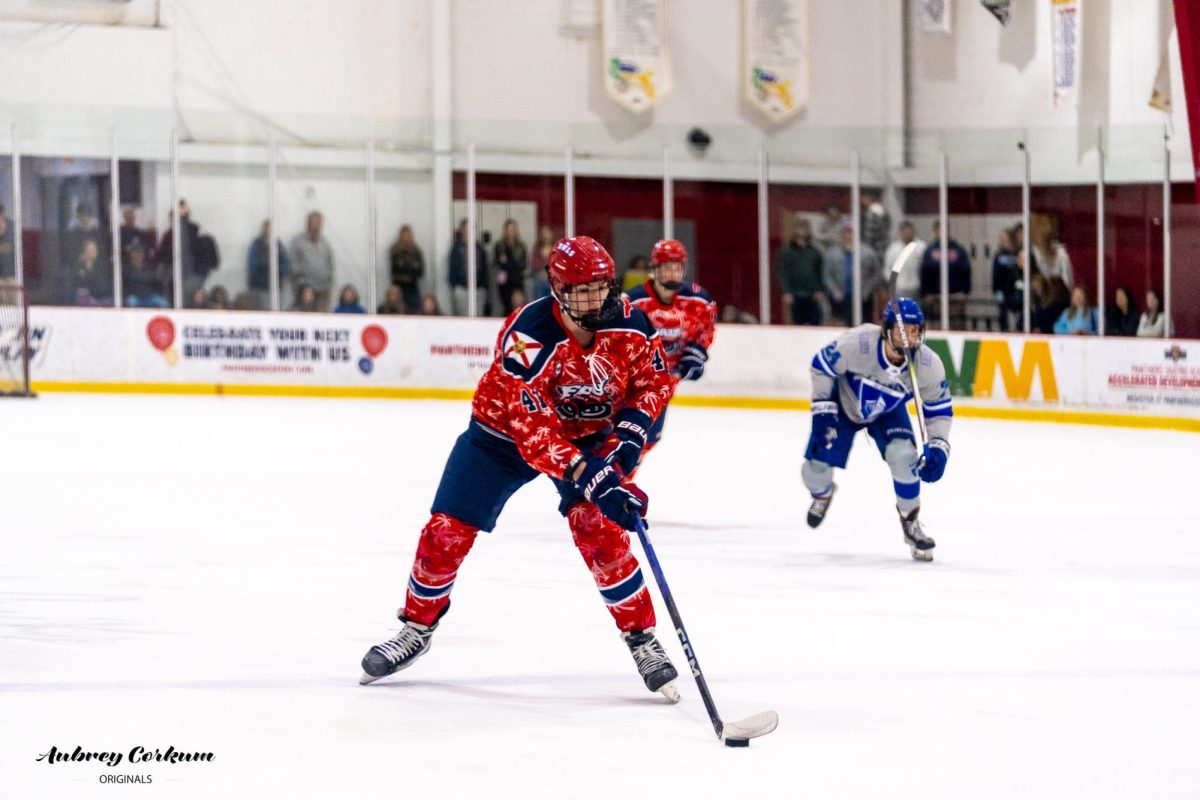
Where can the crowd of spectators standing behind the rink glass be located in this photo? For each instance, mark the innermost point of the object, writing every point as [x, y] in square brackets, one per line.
[814, 268]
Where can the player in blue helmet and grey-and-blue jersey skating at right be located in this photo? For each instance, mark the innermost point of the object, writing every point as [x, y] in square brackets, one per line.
[862, 381]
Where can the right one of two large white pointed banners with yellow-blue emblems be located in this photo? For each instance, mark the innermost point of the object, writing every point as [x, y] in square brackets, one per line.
[776, 56]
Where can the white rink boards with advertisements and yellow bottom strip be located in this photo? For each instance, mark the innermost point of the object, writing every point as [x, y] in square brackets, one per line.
[1143, 383]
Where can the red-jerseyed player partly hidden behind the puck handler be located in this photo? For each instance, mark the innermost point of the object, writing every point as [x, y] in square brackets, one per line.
[682, 312]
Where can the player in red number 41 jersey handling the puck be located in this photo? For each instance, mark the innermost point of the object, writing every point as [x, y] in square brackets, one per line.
[577, 383]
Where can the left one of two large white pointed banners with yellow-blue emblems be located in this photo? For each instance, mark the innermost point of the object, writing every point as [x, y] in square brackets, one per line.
[637, 63]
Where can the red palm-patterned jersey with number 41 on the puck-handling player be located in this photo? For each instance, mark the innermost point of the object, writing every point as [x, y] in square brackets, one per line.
[545, 392]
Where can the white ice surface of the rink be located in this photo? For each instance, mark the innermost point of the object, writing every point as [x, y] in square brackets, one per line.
[208, 573]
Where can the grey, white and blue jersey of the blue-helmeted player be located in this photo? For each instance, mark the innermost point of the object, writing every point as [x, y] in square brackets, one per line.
[854, 371]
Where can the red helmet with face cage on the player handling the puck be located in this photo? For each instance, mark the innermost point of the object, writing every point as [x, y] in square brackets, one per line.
[574, 263]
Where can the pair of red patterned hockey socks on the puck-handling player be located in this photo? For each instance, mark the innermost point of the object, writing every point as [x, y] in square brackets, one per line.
[604, 546]
